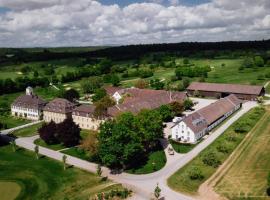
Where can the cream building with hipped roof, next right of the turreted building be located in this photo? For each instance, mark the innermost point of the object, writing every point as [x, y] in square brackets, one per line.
[58, 110]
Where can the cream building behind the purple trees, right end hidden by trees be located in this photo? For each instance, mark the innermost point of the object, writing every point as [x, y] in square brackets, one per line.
[84, 117]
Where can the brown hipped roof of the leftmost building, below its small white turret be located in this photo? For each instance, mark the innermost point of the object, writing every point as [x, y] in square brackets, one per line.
[29, 101]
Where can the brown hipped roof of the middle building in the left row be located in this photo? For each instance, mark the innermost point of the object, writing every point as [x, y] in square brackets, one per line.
[59, 105]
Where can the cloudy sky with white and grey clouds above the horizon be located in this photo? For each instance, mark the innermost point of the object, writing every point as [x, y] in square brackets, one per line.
[28, 23]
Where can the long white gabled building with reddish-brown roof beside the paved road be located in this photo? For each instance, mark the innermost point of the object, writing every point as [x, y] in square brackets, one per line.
[192, 128]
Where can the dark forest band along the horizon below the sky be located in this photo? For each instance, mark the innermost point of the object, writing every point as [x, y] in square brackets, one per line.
[195, 49]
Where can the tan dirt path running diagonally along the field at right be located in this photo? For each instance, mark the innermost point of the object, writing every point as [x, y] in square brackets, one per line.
[206, 190]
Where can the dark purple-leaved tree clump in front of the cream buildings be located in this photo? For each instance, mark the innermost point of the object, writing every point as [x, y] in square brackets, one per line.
[66, 133]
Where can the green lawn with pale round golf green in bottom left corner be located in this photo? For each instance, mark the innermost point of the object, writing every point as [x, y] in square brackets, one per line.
[24, 177]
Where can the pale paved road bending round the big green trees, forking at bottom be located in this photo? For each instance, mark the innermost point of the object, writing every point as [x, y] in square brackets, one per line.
[143, 185]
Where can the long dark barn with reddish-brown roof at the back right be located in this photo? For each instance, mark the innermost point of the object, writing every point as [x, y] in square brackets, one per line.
[244, 92]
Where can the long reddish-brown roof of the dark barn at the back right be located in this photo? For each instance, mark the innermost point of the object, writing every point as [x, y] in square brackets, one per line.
[227, 88]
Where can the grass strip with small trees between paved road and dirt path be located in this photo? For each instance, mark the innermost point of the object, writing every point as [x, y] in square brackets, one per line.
[229, 140]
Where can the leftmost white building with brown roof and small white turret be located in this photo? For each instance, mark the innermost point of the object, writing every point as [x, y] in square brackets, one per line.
[28, 106]
